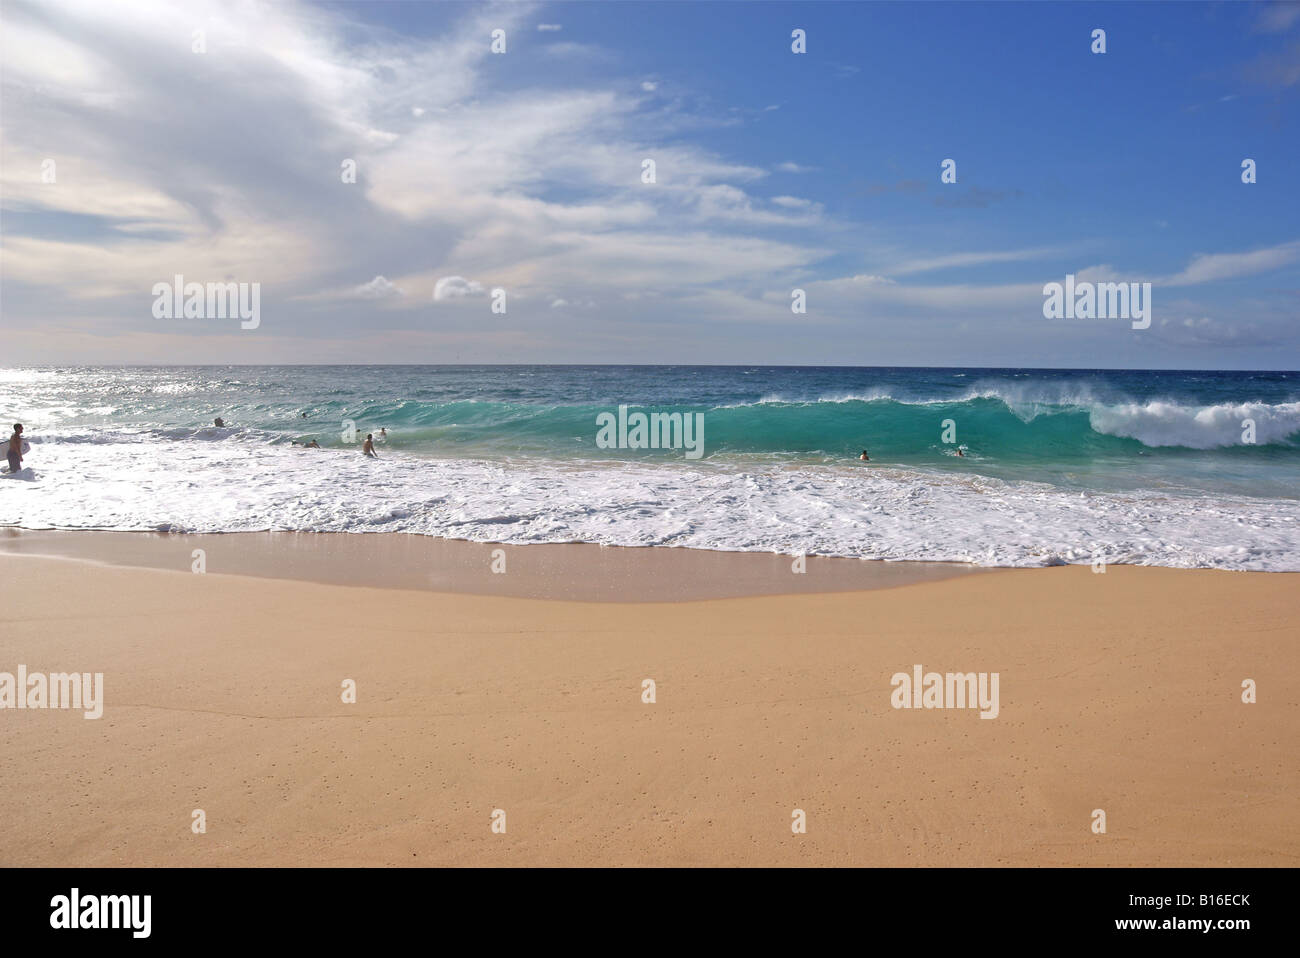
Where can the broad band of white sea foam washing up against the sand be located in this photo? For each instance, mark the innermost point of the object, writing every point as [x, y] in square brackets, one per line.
[242, 484]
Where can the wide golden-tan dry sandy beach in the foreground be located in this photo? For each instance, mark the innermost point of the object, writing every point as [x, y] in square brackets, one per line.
[1120, 692]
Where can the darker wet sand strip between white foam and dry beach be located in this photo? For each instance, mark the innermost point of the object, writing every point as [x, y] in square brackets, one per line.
[578, 571]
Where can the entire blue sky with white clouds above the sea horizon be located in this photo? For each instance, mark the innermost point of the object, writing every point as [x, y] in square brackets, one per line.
[141, 141]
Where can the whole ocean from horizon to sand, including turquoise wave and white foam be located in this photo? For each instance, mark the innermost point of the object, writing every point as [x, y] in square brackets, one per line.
[1193, 470]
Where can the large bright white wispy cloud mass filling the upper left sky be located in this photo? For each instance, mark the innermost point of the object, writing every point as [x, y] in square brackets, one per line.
[467, 188]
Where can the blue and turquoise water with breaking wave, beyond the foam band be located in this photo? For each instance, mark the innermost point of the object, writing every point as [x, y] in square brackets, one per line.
[1082, 428]
